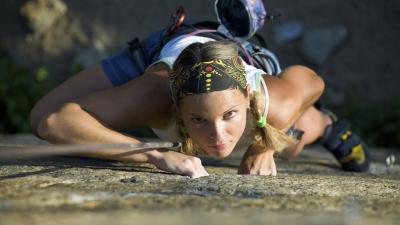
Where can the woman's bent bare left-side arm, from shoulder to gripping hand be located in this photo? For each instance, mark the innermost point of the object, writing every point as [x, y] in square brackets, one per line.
[95, 118]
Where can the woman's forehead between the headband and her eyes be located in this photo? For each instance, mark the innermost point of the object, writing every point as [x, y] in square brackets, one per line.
[216, 101]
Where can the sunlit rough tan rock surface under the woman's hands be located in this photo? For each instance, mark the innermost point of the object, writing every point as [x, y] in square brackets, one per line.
[309, 190]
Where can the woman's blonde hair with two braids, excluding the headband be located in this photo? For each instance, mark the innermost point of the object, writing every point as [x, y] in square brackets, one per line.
[268, 137]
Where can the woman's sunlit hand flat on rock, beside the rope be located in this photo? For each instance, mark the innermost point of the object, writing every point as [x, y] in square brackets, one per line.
[178, 163]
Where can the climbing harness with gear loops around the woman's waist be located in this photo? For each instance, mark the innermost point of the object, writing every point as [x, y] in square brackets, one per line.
[144, 53]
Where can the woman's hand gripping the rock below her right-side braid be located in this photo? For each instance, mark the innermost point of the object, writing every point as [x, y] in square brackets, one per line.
[258, 161]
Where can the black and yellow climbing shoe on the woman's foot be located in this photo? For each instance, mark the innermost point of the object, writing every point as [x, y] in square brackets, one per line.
[346, 146]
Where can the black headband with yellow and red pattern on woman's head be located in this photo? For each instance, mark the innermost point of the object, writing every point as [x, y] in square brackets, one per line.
[214, 75]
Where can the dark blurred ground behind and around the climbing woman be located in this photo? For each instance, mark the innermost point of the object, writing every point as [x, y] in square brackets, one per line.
[353, 45]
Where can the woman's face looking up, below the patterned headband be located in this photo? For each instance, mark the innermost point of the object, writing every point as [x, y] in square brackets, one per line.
[216, 120]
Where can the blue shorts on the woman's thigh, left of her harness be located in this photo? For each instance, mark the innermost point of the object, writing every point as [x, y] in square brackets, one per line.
[122, 68]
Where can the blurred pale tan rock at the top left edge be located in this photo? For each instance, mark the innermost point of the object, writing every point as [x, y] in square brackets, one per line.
[42, 14]
